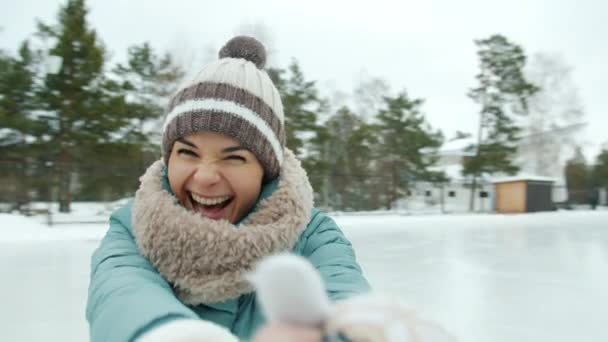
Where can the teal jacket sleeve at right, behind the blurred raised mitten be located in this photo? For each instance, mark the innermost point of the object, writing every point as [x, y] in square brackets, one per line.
[332, 254]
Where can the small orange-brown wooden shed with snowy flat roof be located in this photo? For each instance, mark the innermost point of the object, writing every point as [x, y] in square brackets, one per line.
[523, 194]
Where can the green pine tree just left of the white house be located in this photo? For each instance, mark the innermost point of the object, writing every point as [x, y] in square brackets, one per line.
[408, 146]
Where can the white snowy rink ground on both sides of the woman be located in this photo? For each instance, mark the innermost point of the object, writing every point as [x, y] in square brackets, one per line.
[535, 277]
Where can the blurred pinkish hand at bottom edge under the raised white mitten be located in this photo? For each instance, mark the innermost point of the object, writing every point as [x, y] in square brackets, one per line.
[280, 332]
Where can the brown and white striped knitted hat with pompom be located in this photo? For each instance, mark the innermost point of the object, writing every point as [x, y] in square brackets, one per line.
[233, 96]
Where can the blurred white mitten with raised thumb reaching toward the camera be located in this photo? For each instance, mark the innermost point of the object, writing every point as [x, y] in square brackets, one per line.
[291, 291]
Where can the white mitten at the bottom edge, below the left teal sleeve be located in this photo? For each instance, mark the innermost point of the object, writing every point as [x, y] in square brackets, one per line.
[188, 330]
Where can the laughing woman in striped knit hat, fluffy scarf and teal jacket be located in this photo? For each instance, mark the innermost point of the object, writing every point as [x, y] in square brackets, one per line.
[226, 193]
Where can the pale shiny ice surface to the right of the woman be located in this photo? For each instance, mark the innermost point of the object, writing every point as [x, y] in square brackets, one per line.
[534, 277]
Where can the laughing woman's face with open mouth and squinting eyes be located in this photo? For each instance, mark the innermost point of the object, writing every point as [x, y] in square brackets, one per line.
[212, 174]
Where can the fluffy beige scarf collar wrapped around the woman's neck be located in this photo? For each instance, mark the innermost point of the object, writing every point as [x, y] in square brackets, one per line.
[205, 260]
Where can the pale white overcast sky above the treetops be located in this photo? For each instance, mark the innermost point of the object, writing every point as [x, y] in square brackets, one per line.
[425, 46]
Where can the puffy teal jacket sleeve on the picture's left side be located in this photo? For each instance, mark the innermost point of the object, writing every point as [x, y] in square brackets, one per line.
[127, 296]
